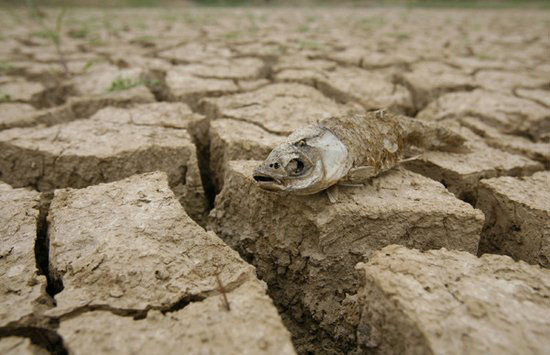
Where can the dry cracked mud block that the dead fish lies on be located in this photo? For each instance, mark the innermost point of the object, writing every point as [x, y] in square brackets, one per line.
[305, 248]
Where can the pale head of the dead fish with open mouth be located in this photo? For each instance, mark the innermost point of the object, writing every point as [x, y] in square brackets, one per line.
[299, 164]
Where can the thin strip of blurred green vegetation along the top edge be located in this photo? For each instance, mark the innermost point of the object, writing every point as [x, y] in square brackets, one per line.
[406, 3]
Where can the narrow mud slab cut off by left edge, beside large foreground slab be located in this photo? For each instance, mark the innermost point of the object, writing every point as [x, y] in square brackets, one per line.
[23, 290]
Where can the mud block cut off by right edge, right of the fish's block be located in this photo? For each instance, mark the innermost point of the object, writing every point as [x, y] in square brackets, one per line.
[517, 214]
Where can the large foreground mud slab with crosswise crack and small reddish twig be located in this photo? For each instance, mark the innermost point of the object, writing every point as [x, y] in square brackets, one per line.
[129, 256]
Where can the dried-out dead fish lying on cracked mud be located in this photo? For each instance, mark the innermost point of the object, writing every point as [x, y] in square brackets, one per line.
[348, 150]
